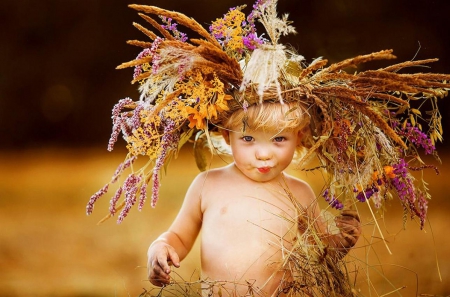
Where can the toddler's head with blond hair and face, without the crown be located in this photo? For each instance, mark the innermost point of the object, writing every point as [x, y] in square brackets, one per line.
[264, 138]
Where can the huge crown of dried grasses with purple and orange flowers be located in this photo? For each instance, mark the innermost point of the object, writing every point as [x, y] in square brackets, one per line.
[365, 130]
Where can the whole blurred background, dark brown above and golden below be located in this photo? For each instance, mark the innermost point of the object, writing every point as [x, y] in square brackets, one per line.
[58, 86]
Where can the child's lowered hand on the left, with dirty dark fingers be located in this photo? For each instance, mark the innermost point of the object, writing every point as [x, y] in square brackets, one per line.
[160, 257]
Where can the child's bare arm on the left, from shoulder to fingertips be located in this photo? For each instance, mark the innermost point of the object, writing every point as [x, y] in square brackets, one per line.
[173, 245]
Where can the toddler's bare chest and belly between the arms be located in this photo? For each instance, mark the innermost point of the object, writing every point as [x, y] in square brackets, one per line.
[245, 233]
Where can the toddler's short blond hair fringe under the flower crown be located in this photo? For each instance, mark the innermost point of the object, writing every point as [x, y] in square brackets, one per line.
[269, 116]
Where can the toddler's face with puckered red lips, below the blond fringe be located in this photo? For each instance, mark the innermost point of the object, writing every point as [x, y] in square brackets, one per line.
[262, 155]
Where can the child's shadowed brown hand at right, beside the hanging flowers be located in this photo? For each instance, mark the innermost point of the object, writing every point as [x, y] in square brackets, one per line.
[349, 224]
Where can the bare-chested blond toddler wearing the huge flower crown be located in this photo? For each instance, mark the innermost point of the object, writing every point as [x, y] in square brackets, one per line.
[243, 209]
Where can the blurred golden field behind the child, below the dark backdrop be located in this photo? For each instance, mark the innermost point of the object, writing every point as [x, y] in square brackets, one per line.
[49, 247]
